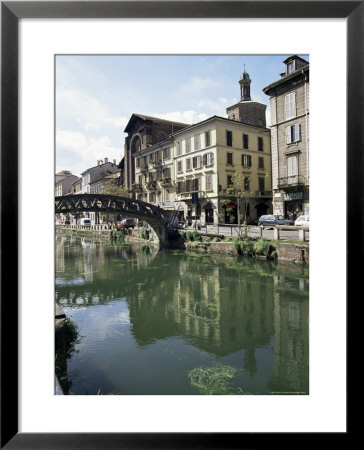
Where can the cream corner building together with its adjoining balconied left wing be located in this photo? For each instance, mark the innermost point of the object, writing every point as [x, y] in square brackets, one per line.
[192, 171]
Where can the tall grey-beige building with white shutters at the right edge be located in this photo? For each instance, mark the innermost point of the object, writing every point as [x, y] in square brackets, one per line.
[289, 104]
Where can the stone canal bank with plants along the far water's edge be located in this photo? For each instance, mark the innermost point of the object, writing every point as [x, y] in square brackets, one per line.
[296, 252]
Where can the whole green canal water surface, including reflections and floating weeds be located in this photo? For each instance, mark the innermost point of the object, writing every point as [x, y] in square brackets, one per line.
[178, 323]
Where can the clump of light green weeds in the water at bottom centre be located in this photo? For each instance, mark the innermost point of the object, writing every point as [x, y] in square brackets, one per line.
[215, 380]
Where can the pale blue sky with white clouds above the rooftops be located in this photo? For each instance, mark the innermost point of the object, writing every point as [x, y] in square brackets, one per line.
[97, 94]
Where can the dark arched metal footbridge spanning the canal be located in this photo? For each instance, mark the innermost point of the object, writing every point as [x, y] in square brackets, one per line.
[110, 204]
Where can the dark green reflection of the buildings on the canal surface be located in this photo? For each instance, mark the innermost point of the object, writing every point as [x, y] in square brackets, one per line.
[221, 305]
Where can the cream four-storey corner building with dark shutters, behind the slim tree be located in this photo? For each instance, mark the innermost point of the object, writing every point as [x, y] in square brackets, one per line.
[207, 155]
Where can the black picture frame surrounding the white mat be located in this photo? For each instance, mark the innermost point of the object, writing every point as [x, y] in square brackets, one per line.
[11, 12]
